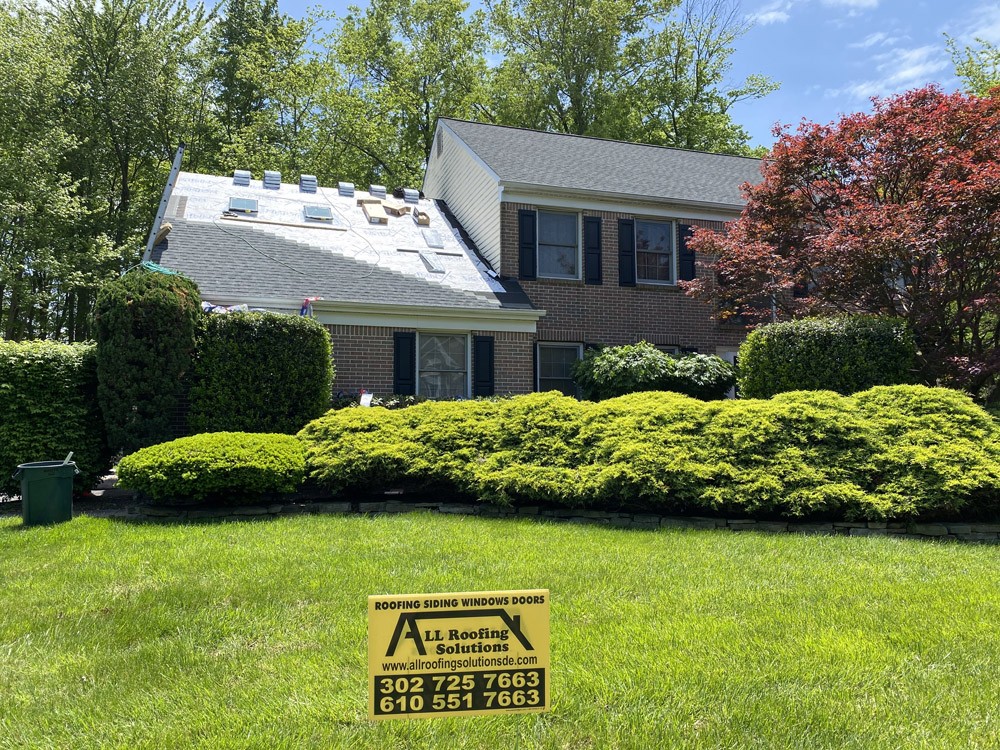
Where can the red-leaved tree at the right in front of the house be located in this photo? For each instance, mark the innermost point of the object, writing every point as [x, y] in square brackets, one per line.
[895, 212]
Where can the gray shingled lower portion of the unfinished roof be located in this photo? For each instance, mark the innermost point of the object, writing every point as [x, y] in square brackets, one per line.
[238, 261]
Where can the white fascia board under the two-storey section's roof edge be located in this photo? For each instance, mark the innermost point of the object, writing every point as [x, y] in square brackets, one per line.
[597, 201]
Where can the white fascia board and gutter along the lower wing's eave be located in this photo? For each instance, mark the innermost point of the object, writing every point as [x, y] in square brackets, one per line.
[330, 312]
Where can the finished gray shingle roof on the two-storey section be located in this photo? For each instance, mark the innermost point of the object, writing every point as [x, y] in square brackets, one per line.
[585, 164]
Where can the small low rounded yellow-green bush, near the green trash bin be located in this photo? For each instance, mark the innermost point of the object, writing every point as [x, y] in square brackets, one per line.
[225, 467]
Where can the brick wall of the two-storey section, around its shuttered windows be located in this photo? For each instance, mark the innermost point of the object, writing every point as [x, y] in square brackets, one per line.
[610, 314]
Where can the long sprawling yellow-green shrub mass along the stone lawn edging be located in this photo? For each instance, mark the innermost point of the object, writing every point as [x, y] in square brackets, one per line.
[895, 452]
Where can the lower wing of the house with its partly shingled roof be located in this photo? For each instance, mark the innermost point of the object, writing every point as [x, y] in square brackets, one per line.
[409, 305]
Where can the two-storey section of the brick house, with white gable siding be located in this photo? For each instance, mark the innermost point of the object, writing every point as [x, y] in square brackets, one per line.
[593, 230]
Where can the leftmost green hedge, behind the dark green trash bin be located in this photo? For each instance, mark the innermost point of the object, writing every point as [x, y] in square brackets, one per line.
[48, 407]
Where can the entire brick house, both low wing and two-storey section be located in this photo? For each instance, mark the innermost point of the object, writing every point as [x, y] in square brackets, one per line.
[523, 249]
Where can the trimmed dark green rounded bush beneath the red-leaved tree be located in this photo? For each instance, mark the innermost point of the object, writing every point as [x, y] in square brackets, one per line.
[844, 354]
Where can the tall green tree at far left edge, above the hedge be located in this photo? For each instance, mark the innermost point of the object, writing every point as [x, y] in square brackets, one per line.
[48, 267]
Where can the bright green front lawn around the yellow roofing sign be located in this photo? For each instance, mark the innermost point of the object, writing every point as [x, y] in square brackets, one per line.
[254, 635]
